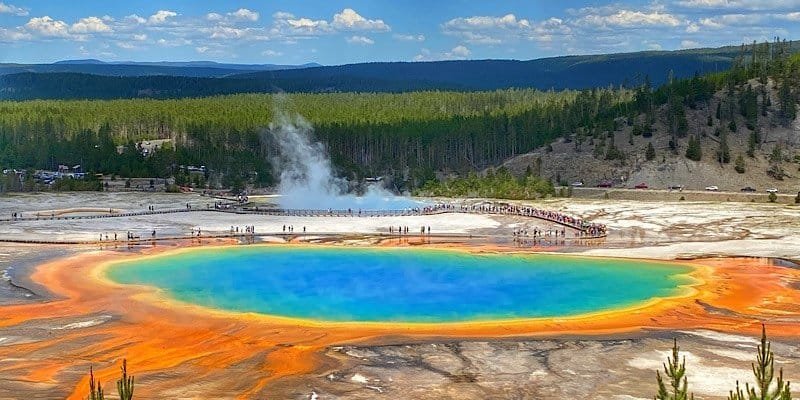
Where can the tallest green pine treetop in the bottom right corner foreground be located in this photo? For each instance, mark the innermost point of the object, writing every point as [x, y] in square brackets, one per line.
[764, 372]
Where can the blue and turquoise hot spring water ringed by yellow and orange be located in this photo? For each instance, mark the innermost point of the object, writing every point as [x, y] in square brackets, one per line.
[400, 285]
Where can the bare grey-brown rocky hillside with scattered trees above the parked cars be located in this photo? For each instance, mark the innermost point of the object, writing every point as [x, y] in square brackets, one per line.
[567, 161]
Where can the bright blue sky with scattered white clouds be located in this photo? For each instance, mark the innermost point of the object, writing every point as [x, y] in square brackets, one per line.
[334, 32]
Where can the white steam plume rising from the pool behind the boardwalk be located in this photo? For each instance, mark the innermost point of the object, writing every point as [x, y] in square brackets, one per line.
[307, 180]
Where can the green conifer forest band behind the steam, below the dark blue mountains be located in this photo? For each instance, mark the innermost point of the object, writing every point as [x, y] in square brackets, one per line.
[407, 135]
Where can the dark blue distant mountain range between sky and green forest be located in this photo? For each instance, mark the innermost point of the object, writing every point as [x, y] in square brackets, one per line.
[96, 79]
